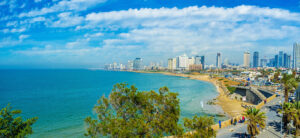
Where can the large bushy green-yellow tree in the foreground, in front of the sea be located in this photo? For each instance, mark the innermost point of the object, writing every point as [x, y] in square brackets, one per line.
[128, 112]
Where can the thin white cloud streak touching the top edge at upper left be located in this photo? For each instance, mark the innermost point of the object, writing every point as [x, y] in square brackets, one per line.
[64, 5]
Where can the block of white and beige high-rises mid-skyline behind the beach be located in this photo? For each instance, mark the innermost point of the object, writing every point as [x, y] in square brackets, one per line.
[184, 62]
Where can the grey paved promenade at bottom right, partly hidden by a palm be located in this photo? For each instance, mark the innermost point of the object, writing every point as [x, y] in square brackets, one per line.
[273, 123]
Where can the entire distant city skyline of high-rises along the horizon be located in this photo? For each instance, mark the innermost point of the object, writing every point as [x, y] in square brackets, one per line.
[197, 63]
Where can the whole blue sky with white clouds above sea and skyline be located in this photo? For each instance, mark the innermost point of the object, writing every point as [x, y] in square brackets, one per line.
[92, 33]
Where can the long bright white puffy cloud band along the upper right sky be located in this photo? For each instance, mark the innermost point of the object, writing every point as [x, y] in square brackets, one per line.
[212, 13]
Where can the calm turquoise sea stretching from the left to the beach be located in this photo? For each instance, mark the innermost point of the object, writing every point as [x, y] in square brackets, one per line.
[63, 98]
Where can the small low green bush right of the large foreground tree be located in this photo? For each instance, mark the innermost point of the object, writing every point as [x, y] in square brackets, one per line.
[199, 127]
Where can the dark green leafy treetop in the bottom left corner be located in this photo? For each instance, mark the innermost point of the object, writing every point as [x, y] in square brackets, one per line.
[11, 127]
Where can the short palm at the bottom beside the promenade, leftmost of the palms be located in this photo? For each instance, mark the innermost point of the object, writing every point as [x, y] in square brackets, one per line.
[255, 121]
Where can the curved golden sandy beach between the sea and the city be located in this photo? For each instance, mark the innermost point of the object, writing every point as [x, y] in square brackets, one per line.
[231, 107]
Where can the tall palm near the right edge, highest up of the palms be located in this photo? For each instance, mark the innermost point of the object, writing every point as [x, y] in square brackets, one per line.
[289, 83]
